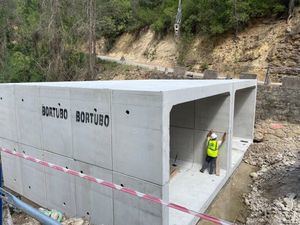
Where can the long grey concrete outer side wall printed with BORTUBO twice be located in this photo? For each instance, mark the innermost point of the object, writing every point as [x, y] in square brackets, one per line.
[57, 124]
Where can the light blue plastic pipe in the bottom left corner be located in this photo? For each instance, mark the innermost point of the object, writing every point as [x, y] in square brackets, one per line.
[29, 210]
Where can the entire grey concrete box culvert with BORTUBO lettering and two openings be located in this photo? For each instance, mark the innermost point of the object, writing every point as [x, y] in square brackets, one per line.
[129, 133]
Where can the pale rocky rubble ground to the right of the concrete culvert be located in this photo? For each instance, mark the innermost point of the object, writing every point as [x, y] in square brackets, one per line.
[275, 193]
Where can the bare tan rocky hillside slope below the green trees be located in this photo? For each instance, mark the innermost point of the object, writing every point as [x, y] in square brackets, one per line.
[265, 42]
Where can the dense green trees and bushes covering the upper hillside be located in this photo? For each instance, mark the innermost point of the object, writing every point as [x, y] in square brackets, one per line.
[46, 39]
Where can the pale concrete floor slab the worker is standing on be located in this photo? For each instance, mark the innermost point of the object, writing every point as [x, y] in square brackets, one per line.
[195, 190]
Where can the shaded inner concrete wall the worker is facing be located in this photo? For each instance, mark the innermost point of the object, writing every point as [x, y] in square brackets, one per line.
[190, 123]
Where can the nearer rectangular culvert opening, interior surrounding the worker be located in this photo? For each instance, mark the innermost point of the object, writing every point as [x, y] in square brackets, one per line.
[190, 123]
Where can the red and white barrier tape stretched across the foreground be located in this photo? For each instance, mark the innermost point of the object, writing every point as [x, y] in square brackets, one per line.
[118, 187]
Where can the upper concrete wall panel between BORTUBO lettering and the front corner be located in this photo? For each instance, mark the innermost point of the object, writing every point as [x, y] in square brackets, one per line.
[136, 116]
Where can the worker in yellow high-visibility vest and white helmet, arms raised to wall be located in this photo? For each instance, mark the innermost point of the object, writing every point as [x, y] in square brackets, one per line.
[212, 152]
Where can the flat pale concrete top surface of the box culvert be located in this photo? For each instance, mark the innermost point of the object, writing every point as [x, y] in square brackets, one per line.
[144, 85]
